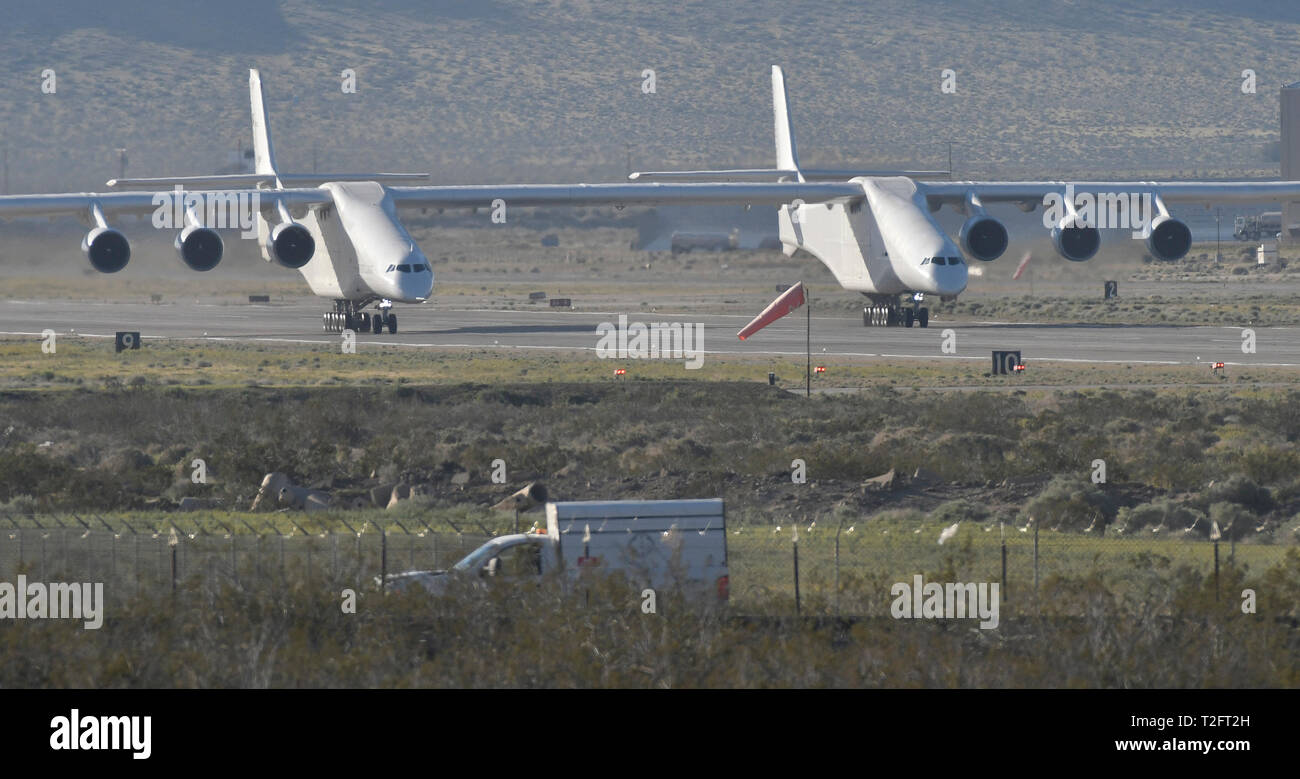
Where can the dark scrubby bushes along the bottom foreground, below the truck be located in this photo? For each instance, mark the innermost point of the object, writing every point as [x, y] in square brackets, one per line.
[1167, 630]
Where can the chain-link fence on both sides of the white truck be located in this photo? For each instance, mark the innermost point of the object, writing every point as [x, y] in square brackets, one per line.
[794, 570]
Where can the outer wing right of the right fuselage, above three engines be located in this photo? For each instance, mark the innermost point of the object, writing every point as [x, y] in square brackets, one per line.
[955, 193]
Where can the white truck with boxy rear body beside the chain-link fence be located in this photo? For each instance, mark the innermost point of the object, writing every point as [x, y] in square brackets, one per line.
[655, 544]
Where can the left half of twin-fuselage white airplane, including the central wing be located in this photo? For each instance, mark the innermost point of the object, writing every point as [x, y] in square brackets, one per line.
[343, 232]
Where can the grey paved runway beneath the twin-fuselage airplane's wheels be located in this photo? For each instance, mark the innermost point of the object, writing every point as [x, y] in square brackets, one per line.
[834, 335]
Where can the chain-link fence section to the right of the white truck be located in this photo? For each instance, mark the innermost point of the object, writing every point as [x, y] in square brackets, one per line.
[853, 570]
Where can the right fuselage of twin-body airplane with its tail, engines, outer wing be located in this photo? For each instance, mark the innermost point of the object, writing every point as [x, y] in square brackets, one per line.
[894, 248]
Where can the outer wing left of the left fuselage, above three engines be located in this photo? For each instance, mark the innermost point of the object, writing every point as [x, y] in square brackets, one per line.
[140, 204]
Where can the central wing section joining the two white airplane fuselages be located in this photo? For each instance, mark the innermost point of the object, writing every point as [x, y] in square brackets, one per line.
[626, 194]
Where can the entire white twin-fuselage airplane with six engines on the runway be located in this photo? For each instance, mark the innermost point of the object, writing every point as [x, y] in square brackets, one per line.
[874, 231]
